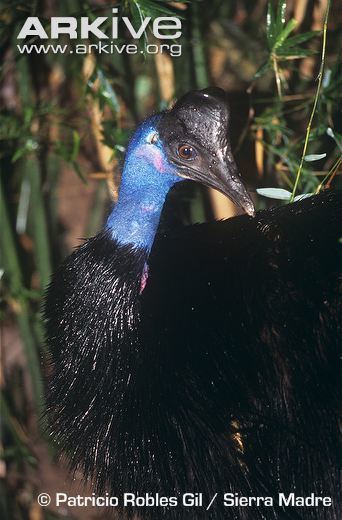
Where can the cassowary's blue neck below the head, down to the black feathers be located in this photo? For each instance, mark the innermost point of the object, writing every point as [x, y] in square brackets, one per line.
[134, 219]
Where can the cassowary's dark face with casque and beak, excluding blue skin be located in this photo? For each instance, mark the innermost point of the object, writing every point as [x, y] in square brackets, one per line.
[195, 137]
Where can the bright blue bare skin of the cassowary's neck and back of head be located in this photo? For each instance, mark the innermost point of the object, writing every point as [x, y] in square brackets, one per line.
[146, 179]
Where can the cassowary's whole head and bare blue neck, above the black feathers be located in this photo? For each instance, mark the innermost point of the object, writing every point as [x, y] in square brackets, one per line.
[190, 141]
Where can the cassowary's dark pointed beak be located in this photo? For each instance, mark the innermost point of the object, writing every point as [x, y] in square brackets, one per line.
[224, 177]
